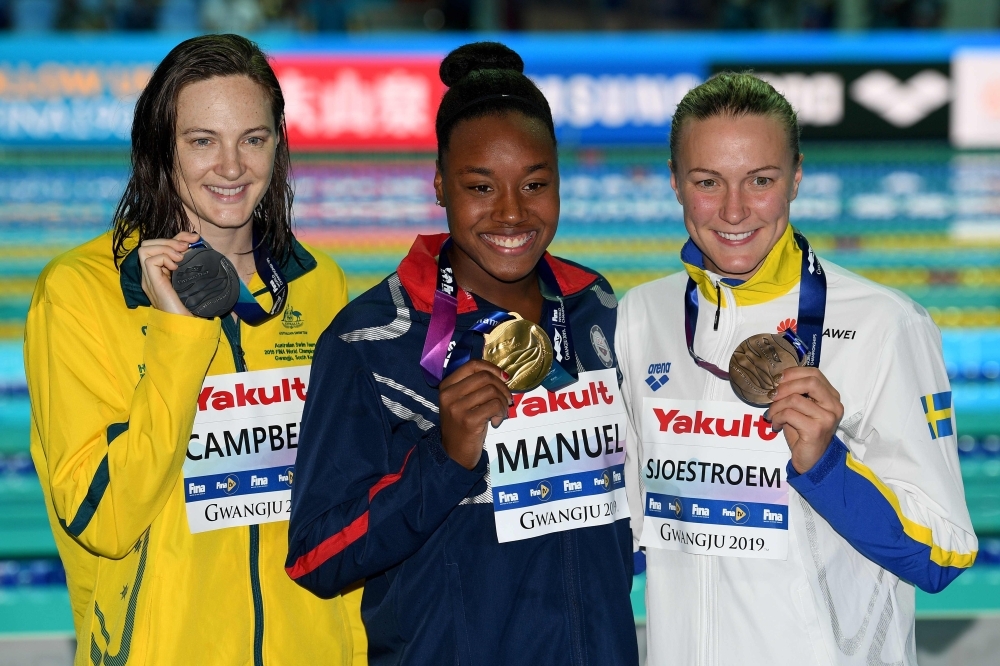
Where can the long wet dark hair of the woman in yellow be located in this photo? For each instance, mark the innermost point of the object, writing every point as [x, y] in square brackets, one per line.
[150, 205]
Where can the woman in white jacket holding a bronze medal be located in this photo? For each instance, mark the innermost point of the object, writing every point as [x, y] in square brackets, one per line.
[868, 503]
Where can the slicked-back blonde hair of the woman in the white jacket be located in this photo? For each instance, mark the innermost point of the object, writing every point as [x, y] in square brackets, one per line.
[734, 94]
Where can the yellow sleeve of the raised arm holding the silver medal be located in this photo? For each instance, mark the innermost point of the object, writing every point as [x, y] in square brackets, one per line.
[112, 456]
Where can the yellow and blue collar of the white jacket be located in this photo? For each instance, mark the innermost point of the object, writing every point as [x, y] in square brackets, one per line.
[776, 277]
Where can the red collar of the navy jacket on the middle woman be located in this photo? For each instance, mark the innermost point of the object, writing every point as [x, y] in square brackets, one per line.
[418, 274]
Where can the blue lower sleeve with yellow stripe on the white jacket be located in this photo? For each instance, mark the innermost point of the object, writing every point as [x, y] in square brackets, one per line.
[866, 513]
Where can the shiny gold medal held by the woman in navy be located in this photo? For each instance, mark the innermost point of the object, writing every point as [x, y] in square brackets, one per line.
[522, 350]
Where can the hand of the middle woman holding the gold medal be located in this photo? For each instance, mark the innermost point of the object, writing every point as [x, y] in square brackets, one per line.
[471, 398]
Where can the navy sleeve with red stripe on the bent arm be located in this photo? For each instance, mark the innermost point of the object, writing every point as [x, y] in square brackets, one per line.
[369, 489]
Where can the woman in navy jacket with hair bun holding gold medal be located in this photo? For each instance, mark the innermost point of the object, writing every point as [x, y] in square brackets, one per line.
[485, 511]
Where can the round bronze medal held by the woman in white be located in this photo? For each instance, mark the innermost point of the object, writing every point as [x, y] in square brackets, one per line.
[755, 363]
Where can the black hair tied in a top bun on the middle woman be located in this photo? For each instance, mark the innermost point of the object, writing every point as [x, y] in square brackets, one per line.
[483, 79]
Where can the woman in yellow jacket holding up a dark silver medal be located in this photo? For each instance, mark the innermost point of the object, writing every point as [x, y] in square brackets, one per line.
[167, 364]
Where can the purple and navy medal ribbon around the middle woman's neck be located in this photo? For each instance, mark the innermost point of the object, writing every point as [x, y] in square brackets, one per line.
[442, 355]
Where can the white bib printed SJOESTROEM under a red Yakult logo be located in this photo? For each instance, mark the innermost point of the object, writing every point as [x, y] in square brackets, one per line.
[715, 480]
